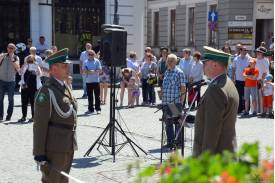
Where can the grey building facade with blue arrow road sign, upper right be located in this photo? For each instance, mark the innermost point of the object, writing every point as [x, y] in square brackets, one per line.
[185, 23]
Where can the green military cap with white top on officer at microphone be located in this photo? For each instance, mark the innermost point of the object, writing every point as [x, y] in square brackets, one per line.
[215, 55]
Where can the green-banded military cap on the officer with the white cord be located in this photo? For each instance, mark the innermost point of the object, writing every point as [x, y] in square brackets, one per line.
[58, 57]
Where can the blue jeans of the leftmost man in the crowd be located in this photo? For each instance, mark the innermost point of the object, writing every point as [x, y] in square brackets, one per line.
[6, 87]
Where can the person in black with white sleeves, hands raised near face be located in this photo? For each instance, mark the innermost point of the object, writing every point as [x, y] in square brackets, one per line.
[30, 82]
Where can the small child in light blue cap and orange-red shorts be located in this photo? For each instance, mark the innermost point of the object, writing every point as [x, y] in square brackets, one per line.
[268, 96]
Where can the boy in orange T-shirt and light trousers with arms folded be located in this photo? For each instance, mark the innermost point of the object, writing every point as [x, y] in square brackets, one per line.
[250, 74]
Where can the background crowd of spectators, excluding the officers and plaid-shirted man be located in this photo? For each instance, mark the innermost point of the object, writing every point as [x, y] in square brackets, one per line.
[253, 77]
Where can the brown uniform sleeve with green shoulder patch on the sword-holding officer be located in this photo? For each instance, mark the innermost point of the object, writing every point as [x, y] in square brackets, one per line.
[42, 110]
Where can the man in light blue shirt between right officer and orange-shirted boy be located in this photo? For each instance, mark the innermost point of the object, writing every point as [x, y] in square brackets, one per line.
[239, 64]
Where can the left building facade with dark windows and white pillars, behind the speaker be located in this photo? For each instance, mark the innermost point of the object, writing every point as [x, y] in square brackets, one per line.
[69, 23]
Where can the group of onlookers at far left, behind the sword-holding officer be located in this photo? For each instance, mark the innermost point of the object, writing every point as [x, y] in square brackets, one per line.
[27, 71]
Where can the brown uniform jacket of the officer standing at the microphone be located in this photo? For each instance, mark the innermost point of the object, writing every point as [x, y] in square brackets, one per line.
[216, 117]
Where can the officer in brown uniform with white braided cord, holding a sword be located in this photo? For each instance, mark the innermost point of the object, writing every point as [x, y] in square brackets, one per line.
[54, 138]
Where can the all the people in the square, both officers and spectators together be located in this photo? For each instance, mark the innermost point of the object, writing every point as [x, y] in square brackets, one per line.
[45, 83]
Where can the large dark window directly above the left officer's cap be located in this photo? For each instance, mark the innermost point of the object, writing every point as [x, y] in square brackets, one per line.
[78, 22]
